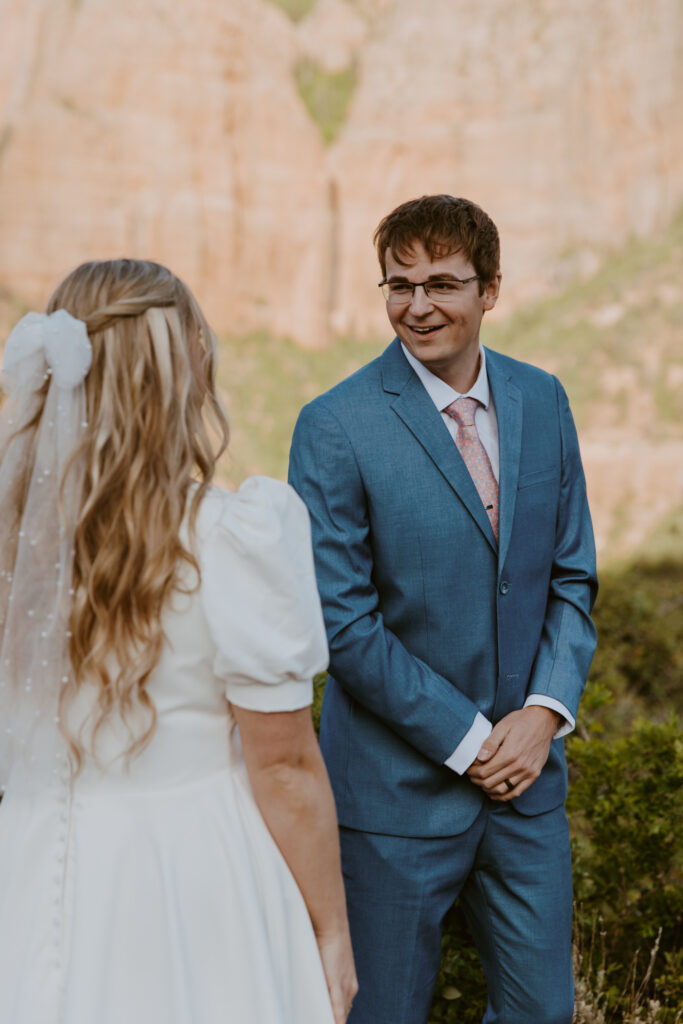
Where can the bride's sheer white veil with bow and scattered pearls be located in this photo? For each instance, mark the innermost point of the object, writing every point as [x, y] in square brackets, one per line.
[37, 552]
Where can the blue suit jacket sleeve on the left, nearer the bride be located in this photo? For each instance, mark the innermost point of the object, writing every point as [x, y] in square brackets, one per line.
[366, 658]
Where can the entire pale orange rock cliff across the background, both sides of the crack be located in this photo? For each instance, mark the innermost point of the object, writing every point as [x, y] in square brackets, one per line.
[176, 132]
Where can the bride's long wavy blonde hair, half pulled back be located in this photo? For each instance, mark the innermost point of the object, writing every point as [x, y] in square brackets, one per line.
[155, 426]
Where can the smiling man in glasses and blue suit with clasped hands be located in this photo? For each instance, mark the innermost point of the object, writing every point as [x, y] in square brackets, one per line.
[456, 566]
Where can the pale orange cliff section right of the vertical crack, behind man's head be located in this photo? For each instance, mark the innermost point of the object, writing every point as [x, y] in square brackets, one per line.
[558, 119]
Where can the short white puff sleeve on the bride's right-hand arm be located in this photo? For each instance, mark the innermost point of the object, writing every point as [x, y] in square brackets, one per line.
[261, 598]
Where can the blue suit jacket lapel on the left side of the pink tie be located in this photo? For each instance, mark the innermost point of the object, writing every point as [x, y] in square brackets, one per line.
[415, 408]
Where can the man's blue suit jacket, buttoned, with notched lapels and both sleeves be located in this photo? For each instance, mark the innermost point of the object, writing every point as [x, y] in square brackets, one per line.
[429, 620]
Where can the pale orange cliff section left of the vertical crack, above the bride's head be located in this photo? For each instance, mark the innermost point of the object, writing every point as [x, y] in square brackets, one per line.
[173, 132]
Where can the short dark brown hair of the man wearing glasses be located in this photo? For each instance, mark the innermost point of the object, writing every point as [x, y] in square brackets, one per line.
[444, 226]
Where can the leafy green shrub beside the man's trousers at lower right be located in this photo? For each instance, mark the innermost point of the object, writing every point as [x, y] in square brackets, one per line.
[626, 806]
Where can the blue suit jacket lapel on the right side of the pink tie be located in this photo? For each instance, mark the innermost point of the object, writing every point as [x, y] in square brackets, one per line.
[509, 408]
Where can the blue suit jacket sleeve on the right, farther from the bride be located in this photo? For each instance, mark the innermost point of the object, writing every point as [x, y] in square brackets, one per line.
[569, 637]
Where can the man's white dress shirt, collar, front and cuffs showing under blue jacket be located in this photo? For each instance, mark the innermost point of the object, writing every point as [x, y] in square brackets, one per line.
[487, 423]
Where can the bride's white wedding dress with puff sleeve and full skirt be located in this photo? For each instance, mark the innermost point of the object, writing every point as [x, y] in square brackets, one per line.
[155, 894]
